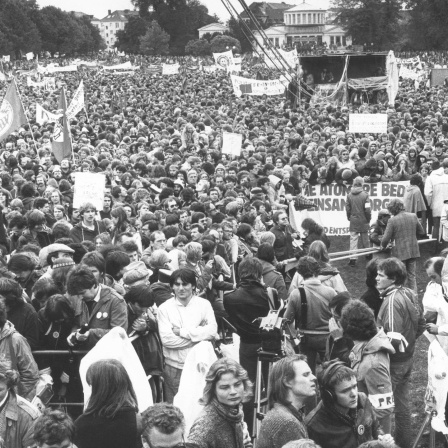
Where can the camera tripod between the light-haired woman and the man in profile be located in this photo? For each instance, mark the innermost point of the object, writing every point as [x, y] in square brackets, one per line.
[261, 390]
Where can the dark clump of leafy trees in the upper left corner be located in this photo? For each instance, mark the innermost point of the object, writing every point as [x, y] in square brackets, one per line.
[24, 27]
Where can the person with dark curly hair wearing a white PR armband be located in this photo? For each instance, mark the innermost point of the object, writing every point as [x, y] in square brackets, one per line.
[370, 358]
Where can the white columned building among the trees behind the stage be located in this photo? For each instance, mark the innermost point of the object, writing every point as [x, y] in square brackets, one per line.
[306, 23]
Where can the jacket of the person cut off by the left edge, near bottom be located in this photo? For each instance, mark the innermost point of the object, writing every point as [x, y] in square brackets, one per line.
[21, 359]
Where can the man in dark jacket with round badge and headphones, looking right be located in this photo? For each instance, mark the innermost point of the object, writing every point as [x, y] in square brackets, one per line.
[344, 417]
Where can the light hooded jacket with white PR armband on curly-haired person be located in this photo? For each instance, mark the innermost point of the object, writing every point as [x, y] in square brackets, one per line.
[370, 361]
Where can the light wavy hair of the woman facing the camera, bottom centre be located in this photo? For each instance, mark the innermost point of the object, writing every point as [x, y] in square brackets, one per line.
[216, 371]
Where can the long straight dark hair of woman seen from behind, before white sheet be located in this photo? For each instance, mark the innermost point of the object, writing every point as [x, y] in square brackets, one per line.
[111, 389]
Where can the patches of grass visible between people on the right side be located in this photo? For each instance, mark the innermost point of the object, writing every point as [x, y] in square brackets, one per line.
[354, 278]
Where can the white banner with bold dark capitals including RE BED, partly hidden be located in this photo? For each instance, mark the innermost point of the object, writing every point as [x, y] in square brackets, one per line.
[331, 203]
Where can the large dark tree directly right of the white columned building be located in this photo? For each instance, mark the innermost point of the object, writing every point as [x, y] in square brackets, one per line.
[370, 21]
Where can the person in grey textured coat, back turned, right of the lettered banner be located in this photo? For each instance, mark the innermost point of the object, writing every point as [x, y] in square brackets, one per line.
[403, 228]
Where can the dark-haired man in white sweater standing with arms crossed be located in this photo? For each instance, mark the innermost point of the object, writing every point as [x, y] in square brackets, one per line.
[184, 320]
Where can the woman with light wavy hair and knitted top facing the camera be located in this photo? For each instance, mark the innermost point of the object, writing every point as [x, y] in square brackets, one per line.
[221, 424]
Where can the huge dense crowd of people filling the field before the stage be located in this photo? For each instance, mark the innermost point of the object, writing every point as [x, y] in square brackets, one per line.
[190, 240]
